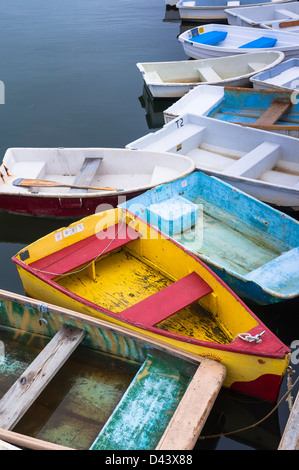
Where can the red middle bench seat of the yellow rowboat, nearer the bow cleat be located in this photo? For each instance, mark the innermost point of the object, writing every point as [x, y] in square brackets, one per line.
[167, 301]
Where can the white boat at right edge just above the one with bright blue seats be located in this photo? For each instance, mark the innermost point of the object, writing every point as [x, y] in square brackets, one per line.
[282, 17]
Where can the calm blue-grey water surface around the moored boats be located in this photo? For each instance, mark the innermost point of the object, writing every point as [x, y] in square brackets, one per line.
[70, 76]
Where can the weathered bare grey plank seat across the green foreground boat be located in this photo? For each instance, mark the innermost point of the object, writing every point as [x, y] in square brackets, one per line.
[31, 383]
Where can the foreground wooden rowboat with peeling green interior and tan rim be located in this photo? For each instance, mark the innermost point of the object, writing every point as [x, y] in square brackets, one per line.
[96, 373]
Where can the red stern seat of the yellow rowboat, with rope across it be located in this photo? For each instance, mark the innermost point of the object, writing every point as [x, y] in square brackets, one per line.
[84, 251]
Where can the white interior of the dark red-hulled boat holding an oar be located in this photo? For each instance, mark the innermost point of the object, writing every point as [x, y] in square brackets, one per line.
[99, 167]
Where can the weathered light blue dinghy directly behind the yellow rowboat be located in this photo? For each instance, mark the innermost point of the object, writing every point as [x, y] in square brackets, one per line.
[251, 246]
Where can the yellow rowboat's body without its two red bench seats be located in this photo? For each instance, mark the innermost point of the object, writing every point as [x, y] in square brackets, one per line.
[144, 266]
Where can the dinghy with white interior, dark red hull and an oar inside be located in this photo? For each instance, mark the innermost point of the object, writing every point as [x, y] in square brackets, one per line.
[72, 182]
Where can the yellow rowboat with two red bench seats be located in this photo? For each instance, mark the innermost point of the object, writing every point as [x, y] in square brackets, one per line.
[116, 267]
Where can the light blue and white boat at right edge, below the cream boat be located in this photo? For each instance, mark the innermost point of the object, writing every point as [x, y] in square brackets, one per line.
[285, 78]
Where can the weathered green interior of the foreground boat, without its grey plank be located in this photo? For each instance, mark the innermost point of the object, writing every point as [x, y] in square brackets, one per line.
[87, 391]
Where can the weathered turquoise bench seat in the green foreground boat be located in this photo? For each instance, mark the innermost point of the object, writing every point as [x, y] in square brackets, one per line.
[145, 409]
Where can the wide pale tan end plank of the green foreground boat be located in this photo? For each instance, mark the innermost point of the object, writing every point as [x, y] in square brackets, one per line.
[194, 408]
